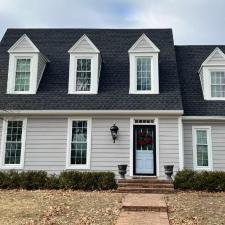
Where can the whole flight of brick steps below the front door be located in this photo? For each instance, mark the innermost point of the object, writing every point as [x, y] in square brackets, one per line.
[145, 185]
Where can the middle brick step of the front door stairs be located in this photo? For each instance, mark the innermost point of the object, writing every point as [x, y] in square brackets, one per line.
[146, 185]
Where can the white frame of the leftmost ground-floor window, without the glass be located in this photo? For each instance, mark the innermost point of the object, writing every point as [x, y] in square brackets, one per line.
[3, 144]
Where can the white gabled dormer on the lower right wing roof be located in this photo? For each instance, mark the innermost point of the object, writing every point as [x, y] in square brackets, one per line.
[212, 76]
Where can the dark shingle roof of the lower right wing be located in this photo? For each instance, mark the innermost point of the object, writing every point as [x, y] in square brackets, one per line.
[189, 60]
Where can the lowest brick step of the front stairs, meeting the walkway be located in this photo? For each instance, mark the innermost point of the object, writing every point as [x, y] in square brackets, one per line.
[145, 190]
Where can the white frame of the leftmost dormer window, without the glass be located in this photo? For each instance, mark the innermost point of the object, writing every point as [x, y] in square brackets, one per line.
[12, 72]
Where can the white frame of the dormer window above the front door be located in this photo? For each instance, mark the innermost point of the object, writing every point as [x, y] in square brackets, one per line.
[154, 73]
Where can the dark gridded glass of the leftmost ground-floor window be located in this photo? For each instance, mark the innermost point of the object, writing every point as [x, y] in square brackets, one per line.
[13, 142]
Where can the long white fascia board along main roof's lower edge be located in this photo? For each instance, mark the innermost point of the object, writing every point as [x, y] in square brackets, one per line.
[93, 112]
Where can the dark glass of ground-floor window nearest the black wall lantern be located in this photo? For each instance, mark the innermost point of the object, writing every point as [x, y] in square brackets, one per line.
[79, 142]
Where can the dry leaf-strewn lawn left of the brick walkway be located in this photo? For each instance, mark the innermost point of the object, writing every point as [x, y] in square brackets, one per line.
[22, 207]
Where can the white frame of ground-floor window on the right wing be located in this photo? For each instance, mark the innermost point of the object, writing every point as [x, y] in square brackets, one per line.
[209, 142]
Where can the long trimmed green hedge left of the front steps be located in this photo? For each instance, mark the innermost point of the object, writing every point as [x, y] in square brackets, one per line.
[75, 180]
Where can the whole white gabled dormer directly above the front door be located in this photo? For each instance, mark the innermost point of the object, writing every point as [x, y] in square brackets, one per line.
[144, 72]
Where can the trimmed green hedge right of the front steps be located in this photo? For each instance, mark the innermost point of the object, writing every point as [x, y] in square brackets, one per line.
[205, 180]
